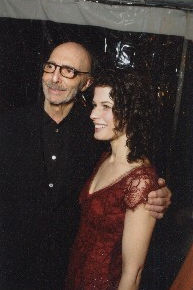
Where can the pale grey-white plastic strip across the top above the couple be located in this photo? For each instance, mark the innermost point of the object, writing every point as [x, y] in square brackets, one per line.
[124, 18]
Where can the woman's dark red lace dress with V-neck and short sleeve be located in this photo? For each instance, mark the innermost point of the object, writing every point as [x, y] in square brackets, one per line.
[96, 255]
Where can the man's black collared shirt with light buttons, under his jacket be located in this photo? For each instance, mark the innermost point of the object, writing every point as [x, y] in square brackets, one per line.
[57, 139]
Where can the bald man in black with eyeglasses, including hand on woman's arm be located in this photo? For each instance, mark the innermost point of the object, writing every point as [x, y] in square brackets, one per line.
[47, 153]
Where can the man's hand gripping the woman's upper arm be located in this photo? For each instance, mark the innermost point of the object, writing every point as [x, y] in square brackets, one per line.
[159, 200]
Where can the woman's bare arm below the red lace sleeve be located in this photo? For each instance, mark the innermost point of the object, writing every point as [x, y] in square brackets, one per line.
[138, 227]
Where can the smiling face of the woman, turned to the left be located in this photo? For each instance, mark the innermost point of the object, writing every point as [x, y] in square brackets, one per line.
[102, 115]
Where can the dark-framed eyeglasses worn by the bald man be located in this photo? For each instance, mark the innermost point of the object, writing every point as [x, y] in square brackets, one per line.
[65, 71]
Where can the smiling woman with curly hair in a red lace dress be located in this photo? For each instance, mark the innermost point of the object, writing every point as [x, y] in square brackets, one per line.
[115, 229]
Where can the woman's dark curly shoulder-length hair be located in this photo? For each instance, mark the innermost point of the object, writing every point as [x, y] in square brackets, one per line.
[136, 108]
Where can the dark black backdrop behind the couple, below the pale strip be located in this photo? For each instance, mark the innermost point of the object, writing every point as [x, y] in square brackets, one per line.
[25, 44]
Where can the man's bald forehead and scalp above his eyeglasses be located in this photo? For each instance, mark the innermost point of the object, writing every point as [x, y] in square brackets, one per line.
[72, 54]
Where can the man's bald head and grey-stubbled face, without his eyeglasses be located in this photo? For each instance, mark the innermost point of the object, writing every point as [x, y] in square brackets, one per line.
[58, 89]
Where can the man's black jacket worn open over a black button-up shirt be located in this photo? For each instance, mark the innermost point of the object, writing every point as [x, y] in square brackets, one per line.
[36, 228]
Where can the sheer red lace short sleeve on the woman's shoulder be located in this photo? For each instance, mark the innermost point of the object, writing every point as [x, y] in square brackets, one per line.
[138, 185]
